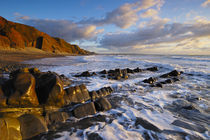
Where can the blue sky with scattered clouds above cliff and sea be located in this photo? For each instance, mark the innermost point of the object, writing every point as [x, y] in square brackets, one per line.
[120, 26]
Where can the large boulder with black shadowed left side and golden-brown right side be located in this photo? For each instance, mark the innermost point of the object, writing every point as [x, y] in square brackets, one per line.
[49, 90]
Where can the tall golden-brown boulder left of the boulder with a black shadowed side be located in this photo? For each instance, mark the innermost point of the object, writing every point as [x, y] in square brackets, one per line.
[24, 94]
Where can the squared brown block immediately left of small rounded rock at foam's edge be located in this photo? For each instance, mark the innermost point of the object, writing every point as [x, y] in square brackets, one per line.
[84, 110]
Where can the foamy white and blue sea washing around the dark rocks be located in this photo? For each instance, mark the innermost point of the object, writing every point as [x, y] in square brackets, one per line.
[179, 110]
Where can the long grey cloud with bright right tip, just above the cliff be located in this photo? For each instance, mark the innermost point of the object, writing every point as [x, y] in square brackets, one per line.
[66, 29]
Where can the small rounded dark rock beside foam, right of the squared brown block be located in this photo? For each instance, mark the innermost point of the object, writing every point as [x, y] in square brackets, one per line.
[102, 104]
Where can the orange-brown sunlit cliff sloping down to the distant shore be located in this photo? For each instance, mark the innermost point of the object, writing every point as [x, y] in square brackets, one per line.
[20, 36]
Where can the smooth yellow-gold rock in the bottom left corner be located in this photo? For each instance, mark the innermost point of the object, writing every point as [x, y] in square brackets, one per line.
[10, 129]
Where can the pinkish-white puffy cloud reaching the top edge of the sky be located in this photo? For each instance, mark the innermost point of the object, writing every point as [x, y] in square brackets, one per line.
[126, 15]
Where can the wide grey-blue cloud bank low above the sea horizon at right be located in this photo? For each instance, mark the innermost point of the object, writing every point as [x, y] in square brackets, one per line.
[157, 32]
